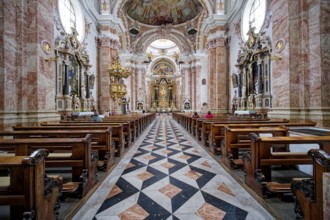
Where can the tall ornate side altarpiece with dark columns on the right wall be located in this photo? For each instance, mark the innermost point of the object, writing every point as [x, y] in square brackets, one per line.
[253, 77]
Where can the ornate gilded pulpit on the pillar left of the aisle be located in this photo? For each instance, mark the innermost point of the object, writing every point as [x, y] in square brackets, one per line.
[116, 73]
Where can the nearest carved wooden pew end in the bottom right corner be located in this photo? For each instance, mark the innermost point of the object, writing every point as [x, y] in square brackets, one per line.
[308, 193]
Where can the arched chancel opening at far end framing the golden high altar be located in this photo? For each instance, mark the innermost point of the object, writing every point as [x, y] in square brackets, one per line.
[163, 73]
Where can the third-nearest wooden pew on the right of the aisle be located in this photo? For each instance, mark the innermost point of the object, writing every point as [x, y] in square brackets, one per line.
[238, 138]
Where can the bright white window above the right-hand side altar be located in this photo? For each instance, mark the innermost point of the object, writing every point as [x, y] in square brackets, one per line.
[253, 15]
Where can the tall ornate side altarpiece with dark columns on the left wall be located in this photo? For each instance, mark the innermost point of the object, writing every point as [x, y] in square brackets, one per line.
[73, 81]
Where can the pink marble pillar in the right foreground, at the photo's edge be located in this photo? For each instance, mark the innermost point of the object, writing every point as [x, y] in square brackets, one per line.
[300, 80]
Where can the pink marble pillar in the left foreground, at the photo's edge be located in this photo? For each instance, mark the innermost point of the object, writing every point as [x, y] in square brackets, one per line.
[25, 72]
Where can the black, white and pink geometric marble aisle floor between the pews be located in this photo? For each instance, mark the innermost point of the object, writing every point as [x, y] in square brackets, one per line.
[167, 175]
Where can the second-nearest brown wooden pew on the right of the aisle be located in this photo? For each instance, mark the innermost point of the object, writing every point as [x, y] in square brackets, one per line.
[258, 162]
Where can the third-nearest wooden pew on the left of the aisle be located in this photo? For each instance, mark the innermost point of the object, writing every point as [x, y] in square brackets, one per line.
[101, 139]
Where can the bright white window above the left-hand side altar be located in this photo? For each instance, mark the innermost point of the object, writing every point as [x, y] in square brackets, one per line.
[72, 17]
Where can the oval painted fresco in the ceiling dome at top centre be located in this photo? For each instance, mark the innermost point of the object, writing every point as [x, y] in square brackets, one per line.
[156, 12]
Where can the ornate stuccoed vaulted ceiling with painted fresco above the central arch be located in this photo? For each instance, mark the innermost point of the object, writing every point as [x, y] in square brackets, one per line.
[168, 19]
